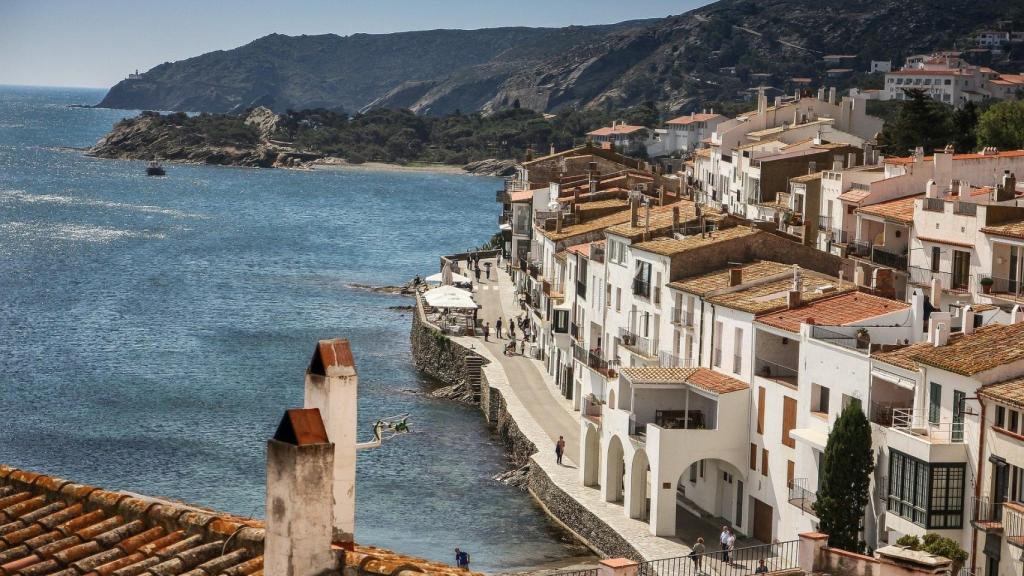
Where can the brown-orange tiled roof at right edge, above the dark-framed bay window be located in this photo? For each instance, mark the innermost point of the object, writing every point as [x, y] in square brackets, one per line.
[988, 348]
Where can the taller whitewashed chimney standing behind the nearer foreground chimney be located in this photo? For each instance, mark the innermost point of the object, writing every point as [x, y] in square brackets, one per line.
[331, 388]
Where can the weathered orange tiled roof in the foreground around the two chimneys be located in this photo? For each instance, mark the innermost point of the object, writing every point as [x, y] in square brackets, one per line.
[54, 527]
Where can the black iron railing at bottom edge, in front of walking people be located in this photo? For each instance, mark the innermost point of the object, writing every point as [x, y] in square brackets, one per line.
[738, 562]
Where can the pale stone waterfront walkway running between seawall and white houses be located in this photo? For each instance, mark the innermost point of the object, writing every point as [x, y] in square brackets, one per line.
[542, 415]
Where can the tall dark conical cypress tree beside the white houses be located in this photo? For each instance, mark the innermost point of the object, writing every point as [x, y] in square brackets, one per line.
[846, 477]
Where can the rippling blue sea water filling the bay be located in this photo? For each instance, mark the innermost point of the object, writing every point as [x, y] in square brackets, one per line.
[154, 331]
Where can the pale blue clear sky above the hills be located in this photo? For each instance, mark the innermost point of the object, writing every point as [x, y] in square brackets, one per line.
[97, 44]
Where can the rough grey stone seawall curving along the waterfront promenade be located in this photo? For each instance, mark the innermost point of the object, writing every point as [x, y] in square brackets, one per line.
[444, 358]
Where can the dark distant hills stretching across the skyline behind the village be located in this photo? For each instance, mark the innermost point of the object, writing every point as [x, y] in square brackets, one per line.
[714, 54]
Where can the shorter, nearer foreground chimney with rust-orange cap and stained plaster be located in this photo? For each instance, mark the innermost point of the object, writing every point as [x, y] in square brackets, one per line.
[300, 473]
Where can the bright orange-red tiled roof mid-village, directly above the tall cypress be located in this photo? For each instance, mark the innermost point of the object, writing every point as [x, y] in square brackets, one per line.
[840, 311]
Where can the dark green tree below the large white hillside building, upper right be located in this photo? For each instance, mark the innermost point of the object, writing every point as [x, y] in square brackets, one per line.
[919, 122]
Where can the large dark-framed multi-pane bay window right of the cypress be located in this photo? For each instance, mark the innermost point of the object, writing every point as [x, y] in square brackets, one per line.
[930, 496]
